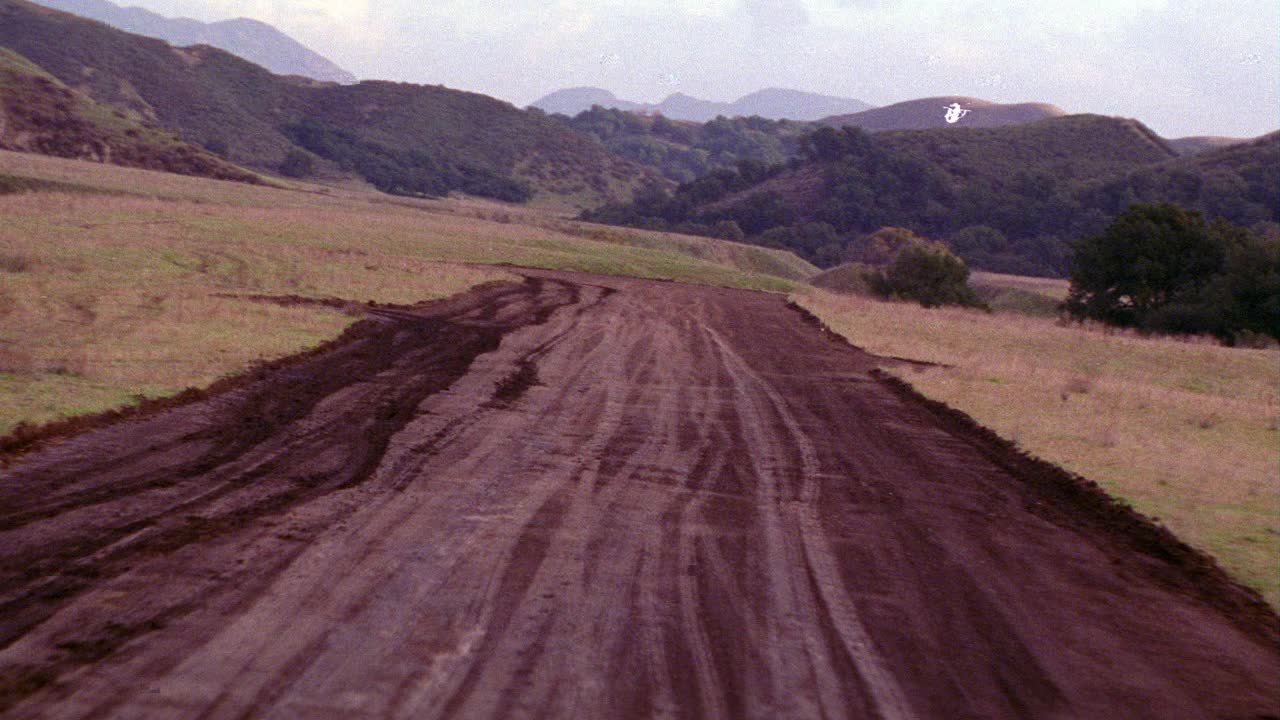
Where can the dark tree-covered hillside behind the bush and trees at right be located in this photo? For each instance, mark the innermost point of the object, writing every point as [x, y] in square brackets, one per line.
[1017, 213]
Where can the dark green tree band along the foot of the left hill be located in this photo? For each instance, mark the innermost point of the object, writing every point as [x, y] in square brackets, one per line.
[395, 171]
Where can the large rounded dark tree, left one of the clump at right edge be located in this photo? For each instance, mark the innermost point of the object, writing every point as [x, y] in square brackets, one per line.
[1150, 257]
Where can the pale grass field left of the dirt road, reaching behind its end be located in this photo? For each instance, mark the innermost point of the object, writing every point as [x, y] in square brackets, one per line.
[115, 282]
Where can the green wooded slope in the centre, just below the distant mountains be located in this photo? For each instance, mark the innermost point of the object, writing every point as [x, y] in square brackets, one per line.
[685, 152]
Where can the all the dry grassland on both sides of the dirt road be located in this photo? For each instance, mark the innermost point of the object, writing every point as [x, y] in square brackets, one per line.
[120, 284]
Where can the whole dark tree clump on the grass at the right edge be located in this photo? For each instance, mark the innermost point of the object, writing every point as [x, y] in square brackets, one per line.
[1163, 268]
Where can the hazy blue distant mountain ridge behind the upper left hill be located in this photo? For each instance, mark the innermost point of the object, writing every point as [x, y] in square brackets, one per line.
[253, 40]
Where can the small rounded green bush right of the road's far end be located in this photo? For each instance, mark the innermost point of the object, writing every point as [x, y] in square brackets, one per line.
[927, 274]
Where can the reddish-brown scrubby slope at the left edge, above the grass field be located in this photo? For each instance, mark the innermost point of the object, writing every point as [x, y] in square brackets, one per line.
[40, 115]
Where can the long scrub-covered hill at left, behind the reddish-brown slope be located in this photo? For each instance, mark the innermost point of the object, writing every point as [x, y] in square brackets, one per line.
[404, 139]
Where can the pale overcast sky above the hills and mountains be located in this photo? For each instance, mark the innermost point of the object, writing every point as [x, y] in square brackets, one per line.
[1194, 67]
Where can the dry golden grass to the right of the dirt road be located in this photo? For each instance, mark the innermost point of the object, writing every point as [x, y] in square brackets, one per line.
[1187, 432]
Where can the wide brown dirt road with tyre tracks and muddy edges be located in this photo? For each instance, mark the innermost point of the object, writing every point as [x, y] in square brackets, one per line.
[587, 498]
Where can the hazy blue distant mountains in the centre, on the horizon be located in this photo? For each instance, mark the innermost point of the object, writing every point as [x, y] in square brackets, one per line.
[775, 104]
